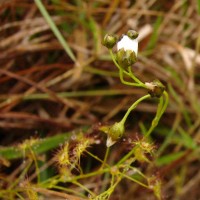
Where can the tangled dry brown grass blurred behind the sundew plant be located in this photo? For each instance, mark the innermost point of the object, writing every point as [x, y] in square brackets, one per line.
[36, 74]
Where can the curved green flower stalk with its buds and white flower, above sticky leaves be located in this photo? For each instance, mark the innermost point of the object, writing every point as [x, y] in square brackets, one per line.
[124, 58]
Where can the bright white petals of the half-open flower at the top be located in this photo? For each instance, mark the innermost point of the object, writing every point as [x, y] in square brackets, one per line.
[128, 44]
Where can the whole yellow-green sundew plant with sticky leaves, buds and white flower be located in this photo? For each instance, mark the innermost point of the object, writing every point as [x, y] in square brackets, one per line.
[68, 157]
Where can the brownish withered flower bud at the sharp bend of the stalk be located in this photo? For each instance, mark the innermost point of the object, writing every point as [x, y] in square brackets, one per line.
[155, 88]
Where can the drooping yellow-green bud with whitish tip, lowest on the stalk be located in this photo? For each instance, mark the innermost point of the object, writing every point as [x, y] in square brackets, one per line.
[114, 132]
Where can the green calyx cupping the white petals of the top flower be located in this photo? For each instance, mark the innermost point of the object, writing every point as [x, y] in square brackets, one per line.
[126, 58]
